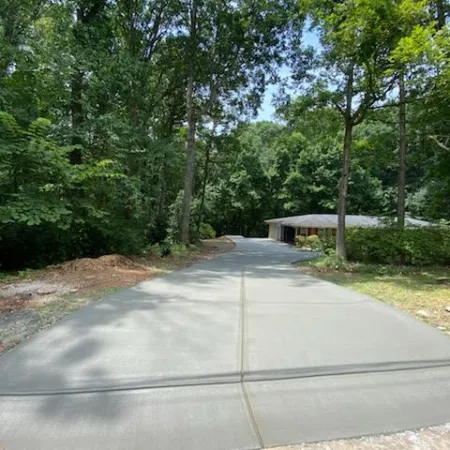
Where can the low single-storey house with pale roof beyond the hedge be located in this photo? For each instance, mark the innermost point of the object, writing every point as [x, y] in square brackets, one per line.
[287, 228]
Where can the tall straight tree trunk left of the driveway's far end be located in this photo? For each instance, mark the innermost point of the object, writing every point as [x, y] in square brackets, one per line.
[191, 149]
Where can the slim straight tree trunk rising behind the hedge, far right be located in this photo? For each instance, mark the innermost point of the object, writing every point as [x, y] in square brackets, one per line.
[402, 154]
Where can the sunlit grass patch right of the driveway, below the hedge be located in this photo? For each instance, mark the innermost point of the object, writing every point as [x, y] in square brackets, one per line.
[411, 289]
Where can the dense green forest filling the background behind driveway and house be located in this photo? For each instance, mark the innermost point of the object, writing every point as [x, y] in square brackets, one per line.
[125, 123]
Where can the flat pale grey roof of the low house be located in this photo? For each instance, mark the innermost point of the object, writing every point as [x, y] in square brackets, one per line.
[330, 221]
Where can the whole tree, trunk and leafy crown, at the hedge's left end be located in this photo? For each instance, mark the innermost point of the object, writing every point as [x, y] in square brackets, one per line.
[349, 72]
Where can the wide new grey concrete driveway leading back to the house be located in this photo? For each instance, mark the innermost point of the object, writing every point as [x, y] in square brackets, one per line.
[240, 352]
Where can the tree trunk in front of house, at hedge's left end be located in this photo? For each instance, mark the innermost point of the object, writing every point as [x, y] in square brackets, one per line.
[343, 185]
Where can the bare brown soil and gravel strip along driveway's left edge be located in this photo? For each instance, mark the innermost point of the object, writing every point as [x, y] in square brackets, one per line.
[33, 303]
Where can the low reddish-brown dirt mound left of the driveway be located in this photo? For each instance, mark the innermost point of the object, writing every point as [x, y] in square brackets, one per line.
[94, 265]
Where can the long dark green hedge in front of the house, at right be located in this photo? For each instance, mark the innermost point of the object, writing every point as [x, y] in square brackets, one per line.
[411, 246]
